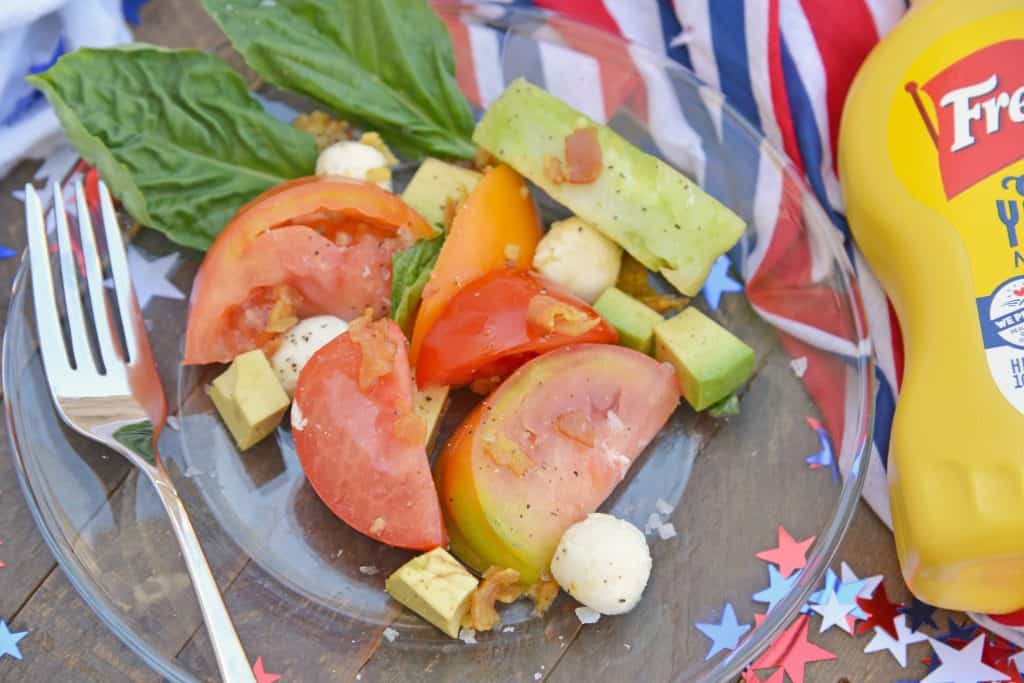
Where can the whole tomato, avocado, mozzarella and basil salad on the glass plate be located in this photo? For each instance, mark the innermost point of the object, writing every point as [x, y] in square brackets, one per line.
[348, 310]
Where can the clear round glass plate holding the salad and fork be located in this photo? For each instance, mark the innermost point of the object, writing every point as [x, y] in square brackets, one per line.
[307, 592]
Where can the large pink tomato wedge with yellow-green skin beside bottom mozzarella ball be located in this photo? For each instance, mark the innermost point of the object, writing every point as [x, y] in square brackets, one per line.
[547, 449]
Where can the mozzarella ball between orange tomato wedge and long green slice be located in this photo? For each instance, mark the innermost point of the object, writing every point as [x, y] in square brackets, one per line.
[575, 255]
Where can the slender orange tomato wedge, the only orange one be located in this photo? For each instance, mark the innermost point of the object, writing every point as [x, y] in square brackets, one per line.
[495, 227]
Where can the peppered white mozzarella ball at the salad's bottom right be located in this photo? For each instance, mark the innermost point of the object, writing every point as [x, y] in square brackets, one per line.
[604, 563]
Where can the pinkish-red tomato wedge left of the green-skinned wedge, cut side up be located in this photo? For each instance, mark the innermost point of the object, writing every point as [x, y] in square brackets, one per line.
[361, 442]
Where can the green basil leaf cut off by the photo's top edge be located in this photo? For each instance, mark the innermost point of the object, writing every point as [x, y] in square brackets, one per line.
[386, 65]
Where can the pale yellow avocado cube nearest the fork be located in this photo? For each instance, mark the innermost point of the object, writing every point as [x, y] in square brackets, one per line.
[250, 399]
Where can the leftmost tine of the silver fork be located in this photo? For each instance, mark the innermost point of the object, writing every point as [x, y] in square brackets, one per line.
[48, 320]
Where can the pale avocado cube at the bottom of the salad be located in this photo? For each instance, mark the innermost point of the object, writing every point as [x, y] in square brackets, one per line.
[437, 587]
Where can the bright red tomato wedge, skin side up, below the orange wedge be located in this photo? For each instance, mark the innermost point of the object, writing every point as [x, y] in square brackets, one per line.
[501, 321]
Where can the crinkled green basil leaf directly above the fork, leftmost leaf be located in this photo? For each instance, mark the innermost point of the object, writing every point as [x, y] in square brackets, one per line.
[176, 135]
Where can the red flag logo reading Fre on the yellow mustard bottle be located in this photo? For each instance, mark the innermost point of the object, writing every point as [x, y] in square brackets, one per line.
[979, 102]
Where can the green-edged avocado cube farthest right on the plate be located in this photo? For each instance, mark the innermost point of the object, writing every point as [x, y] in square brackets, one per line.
[712, 363]
